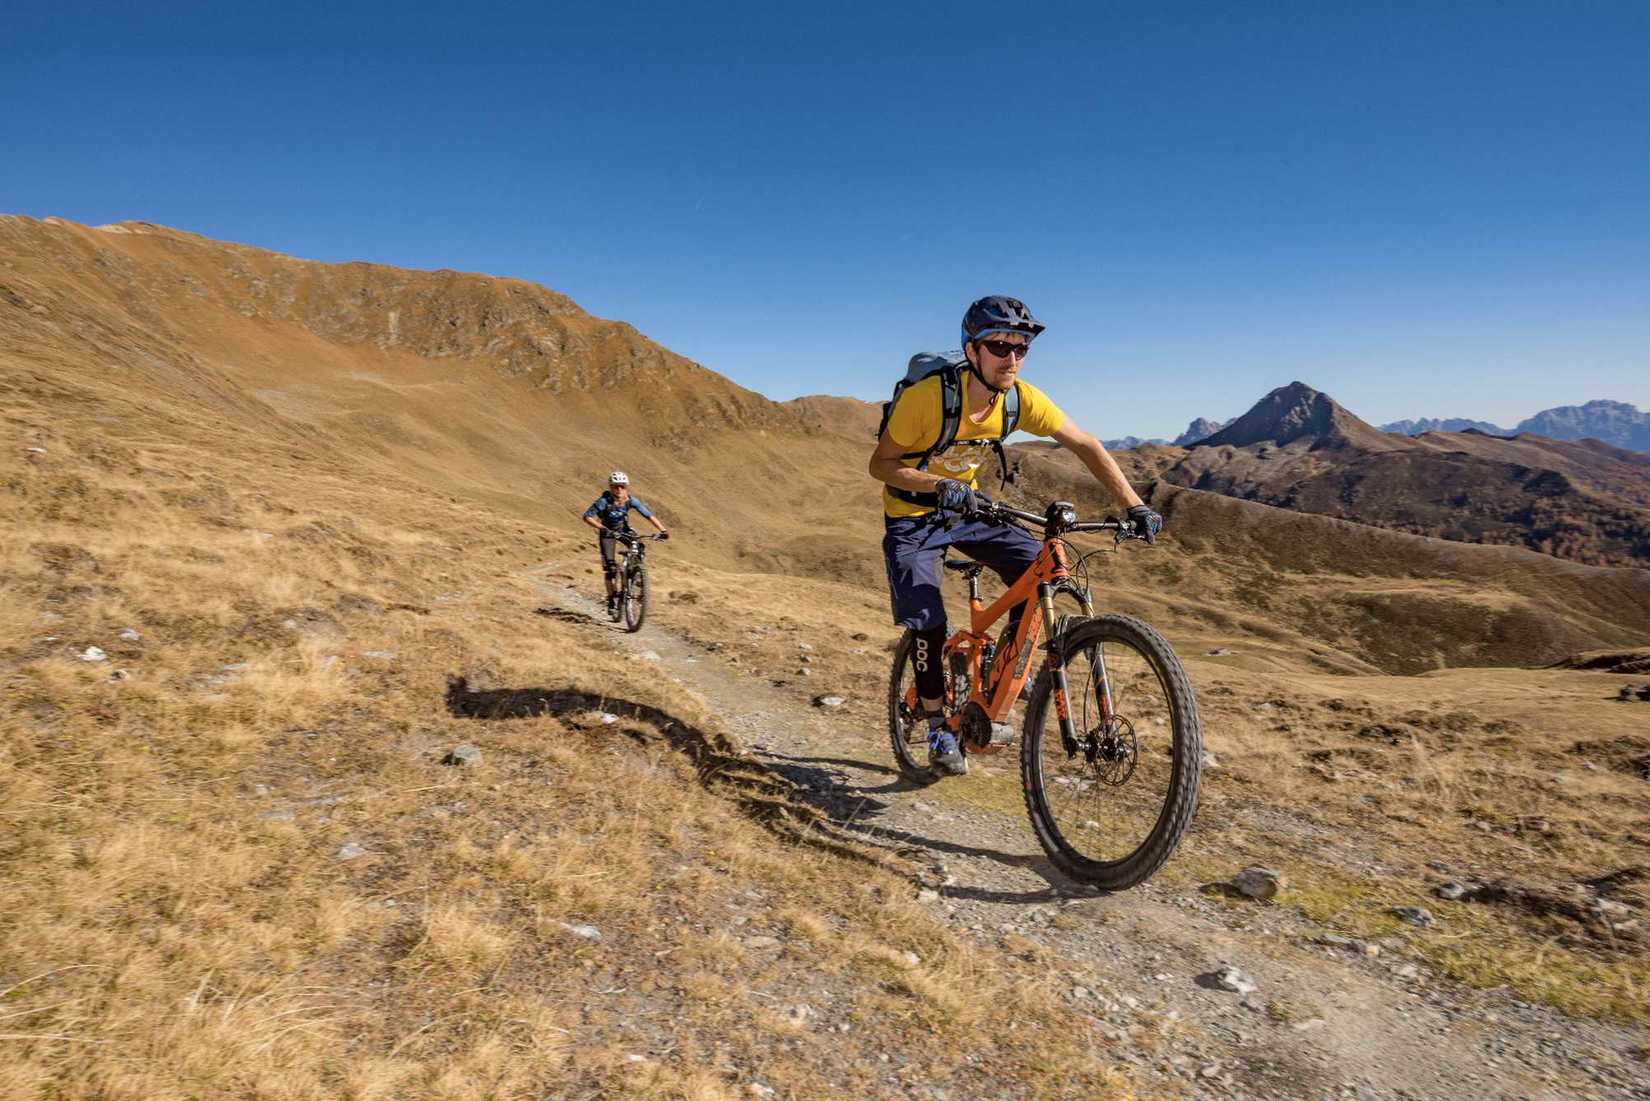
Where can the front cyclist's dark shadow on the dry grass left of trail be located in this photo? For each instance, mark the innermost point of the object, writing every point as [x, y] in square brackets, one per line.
[763, 793]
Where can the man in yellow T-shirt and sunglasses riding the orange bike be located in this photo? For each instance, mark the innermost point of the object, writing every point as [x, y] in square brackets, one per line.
[930, 511]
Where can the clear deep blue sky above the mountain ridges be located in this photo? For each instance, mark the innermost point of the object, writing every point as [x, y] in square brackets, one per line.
[1423, 209]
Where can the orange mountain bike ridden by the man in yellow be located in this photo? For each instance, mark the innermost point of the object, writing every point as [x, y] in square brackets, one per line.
[1111, 750]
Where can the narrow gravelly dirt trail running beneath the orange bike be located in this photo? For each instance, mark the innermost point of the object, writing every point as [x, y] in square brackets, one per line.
[1322, 1024]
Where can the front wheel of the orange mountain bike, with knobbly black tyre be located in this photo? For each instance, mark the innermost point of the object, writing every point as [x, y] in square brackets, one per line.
[1111, 806]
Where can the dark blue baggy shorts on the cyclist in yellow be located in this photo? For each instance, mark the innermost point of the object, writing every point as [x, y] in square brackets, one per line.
[915, 546]
